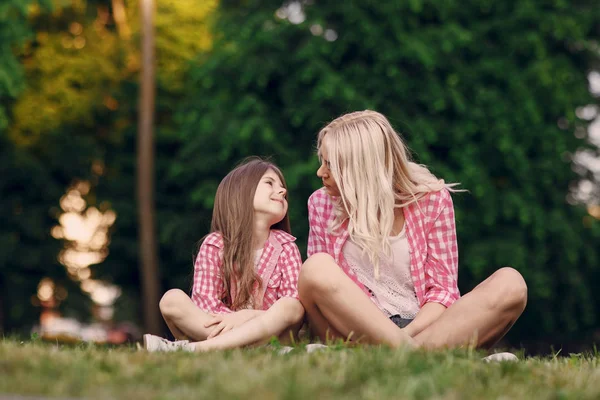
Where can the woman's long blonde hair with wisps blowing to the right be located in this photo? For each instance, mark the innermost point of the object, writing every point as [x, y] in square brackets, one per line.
[374, 174]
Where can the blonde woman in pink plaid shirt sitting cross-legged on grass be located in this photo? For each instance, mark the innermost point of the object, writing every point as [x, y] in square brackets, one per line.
[383, 258]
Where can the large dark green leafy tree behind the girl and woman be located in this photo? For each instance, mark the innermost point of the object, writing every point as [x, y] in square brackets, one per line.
[483, 92]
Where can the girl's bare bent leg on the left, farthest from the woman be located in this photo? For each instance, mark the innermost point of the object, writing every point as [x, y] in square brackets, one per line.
[183, 317]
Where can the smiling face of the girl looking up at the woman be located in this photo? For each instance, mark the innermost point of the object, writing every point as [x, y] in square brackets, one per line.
[270, 199]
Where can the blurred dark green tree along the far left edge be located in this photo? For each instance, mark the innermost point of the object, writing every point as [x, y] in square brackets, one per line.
[29, 189]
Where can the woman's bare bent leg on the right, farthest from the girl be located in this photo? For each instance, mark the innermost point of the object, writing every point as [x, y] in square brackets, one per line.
[482, 316]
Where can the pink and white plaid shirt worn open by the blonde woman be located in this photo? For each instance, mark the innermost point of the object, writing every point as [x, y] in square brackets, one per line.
[431, 235]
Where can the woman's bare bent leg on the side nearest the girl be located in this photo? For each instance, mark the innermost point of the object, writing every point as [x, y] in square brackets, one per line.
[336, 305]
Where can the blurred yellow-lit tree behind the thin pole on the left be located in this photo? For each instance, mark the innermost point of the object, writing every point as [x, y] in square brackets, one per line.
[79, 112]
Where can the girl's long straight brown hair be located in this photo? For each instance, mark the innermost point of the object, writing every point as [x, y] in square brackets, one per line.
[233, 217]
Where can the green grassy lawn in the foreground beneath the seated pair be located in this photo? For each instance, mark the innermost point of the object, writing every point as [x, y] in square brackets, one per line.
[87, 371]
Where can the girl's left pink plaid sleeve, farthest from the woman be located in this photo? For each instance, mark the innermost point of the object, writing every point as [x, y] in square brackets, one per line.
[208, 285]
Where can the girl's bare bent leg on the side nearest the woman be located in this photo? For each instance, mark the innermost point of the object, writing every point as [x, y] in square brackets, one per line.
[277, 320]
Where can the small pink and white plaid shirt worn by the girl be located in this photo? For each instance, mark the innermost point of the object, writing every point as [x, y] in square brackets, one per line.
[278, 268]
